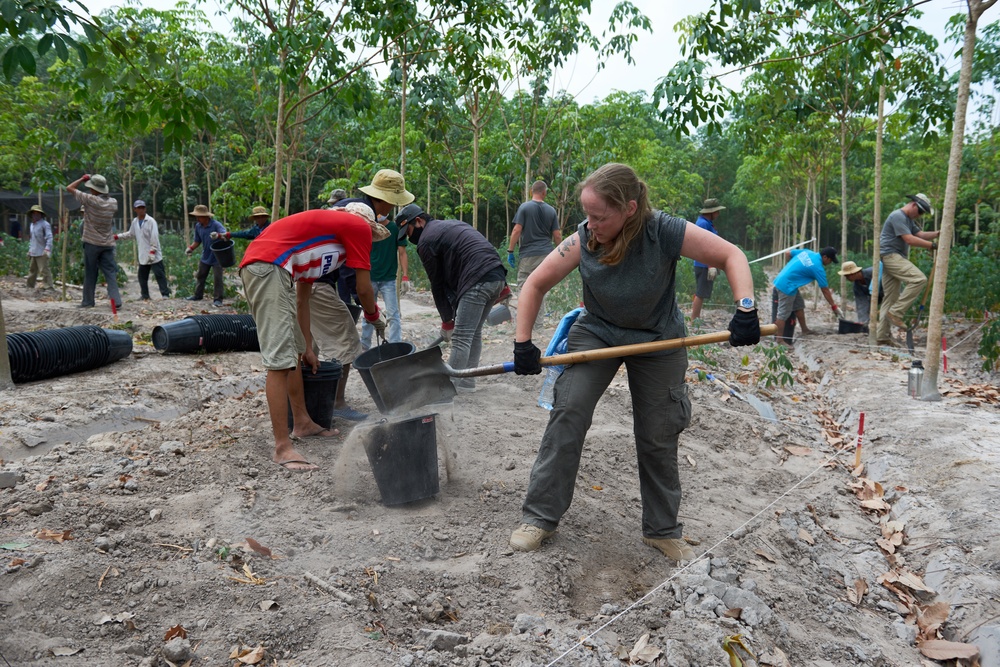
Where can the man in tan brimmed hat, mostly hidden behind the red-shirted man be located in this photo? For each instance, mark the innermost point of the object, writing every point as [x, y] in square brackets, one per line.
[333, 326]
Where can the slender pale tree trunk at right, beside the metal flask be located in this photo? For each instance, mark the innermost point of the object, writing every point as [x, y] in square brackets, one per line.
[932, 362]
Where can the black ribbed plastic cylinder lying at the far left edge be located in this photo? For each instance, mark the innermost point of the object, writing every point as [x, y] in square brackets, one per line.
[36, 355]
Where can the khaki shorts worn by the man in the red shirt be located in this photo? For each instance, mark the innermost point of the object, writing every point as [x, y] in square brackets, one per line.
[271, 294]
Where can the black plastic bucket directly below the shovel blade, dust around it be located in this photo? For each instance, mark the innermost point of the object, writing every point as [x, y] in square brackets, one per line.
[403, 456]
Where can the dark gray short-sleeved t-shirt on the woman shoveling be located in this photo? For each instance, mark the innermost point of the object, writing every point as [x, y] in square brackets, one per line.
[634, 301]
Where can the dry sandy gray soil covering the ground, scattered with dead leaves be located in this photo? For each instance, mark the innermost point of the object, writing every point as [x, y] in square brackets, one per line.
[146, 506]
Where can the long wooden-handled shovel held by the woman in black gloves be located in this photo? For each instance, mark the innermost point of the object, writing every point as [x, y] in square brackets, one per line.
[408, 382]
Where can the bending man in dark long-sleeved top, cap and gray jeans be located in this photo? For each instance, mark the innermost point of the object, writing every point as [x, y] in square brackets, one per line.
[466, 277]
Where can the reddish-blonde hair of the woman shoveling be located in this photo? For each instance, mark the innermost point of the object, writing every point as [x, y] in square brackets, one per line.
[617, 184]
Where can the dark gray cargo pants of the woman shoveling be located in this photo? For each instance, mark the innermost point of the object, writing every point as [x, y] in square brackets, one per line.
[661, 410]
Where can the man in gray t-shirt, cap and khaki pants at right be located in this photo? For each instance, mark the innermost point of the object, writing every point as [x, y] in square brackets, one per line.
[899, 232]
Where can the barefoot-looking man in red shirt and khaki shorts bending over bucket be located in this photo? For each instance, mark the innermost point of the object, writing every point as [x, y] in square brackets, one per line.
[278, 270]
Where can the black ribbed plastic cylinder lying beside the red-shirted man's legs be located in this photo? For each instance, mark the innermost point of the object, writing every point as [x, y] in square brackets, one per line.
[209, 333]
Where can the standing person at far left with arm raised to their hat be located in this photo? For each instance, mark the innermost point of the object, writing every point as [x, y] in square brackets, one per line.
[98, 237]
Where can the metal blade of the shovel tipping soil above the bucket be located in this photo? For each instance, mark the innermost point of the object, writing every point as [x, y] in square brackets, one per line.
[414, 380]
